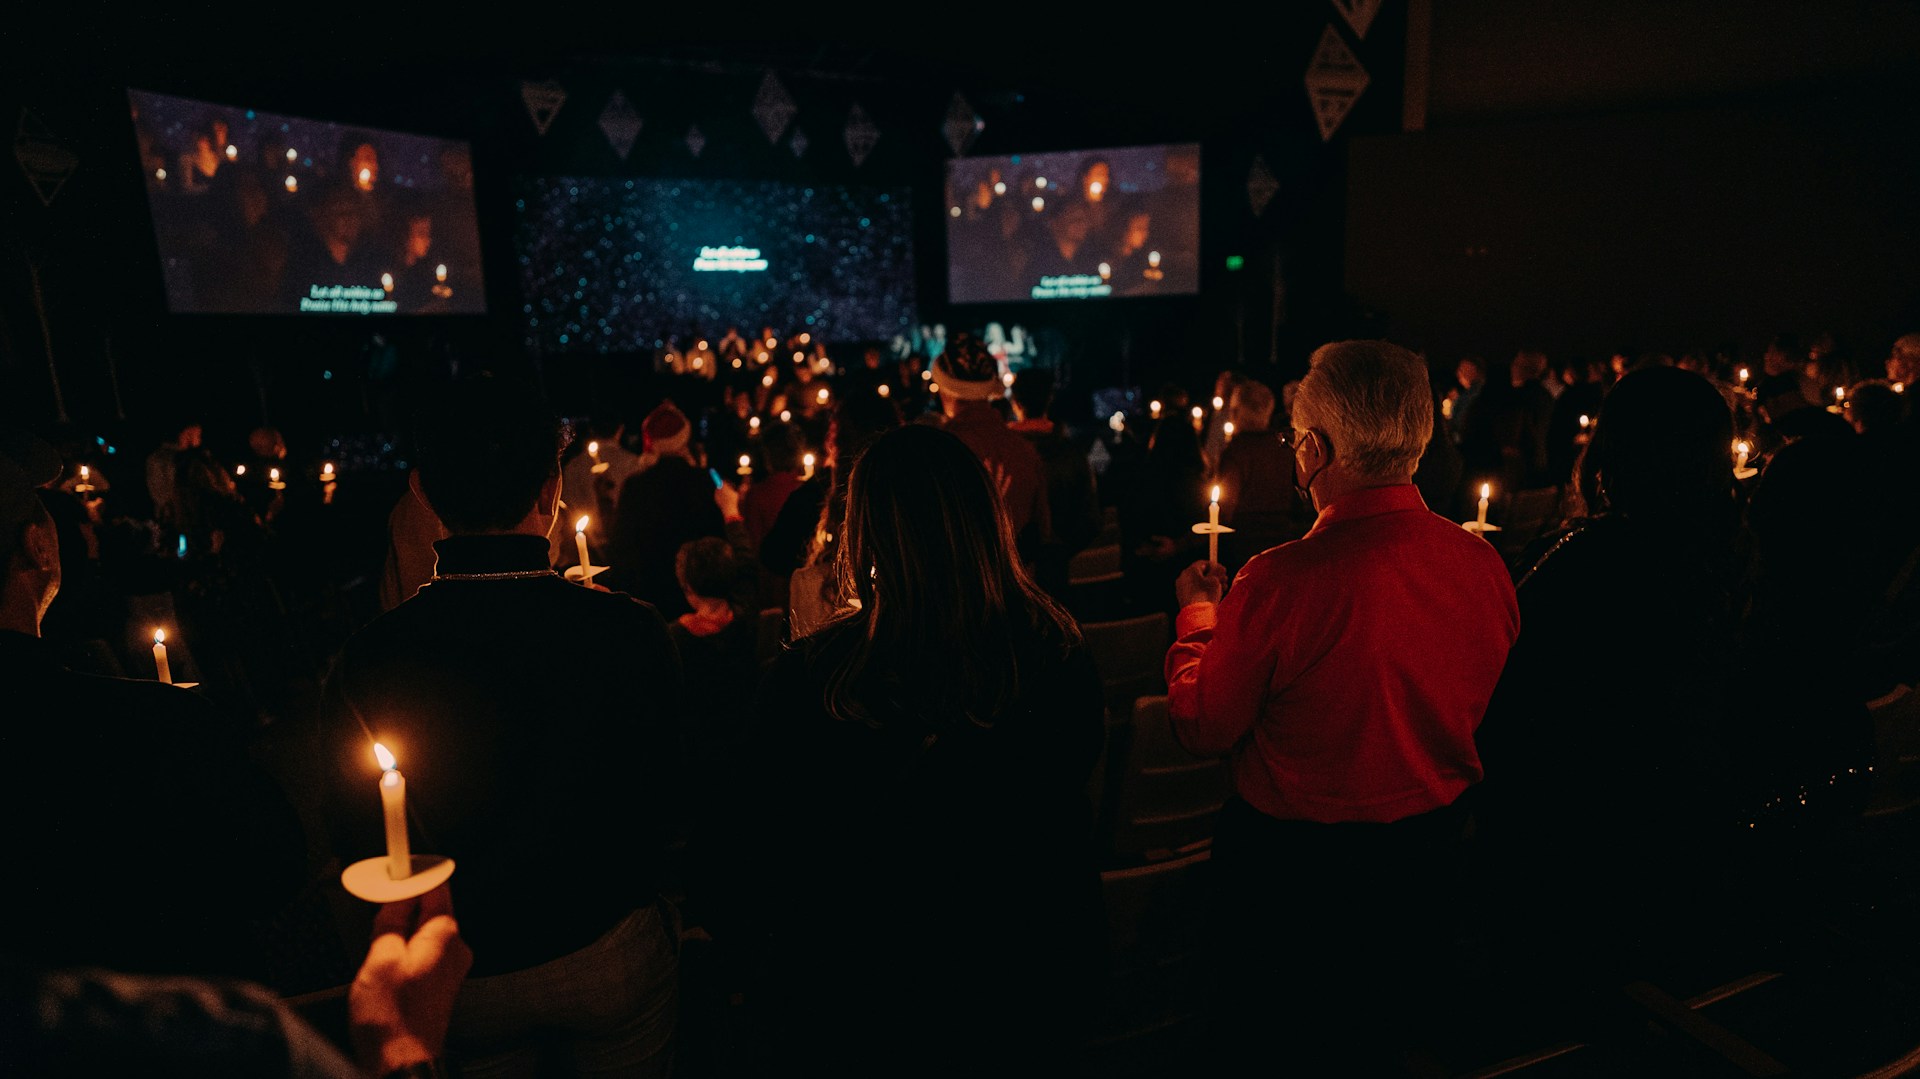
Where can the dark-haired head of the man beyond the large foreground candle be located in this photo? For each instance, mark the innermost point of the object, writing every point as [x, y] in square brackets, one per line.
[487, 450]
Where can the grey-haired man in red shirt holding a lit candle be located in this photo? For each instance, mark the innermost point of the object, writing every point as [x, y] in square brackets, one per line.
[1343, 675]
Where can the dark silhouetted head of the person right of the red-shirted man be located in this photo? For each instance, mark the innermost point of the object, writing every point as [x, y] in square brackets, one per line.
[1662, 448]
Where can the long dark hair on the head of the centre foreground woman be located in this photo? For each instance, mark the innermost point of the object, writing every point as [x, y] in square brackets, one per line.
[928, 550]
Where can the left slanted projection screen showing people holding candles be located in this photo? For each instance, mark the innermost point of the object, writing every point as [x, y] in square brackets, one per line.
[264, 214]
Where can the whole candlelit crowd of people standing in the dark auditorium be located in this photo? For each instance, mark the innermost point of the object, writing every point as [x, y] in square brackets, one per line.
[759, 719]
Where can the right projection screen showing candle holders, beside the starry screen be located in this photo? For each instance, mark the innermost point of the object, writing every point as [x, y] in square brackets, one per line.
[1074, 226]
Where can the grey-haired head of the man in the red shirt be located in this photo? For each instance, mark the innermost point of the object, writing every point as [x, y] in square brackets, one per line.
[1374, 404]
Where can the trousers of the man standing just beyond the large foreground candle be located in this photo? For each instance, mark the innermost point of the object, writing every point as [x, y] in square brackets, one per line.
[604, 1011]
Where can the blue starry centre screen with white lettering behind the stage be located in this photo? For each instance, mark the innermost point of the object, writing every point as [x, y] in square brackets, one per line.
[608, 264]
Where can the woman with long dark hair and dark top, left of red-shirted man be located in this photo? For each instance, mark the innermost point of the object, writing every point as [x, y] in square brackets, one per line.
[917, 825]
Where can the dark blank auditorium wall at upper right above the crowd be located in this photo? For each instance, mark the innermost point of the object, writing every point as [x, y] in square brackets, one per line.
[1648, 178]
